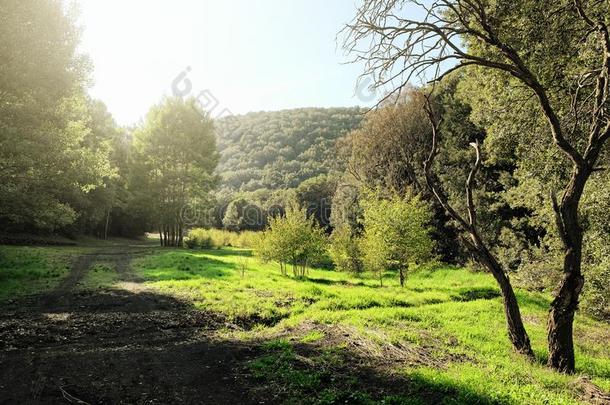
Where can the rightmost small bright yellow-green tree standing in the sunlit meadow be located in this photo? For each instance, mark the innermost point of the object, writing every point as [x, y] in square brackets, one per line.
[396, 233]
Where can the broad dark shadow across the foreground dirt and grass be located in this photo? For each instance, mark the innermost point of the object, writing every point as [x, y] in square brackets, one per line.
[178, 368]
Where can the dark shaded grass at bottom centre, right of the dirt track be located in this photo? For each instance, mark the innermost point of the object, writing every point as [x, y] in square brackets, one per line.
[331, 371]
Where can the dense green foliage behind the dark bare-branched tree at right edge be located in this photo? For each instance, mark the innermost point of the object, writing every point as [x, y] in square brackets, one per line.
[519, 143]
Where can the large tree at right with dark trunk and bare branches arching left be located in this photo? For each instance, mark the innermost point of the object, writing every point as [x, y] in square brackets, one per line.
[558, 51]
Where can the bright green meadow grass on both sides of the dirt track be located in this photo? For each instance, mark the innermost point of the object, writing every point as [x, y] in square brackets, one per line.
[335, 338]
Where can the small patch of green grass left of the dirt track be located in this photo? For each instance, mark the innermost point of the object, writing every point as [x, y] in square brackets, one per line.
[29, 270]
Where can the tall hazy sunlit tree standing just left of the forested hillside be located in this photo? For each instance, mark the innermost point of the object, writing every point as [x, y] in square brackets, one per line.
[176, 158]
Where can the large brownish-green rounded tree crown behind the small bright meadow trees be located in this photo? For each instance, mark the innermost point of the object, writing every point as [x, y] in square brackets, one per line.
[388, 152]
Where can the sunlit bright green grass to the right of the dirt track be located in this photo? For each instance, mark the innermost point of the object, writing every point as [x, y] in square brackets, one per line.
[455, 315]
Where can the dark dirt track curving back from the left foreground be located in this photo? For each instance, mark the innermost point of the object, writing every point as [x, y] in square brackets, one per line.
[115, 346]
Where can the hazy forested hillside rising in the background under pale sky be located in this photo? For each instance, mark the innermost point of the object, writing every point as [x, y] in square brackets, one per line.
[281, 149]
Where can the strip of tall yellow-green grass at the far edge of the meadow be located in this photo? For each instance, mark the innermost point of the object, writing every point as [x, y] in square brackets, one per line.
[200, 238]
